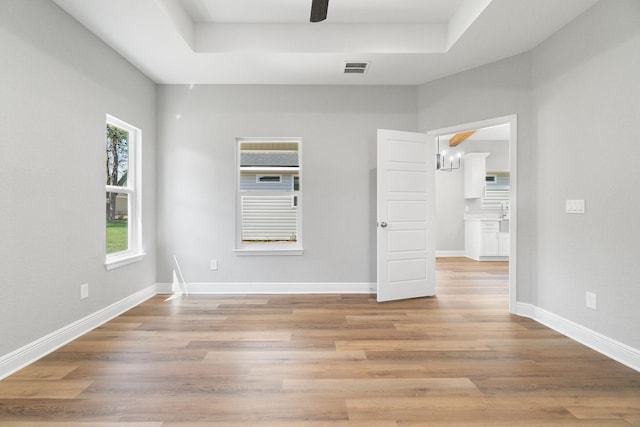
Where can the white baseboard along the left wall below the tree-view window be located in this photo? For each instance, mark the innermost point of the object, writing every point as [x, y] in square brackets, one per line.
[25, 355]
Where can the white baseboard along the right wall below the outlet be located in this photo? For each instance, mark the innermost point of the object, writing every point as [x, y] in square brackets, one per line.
[609, 347]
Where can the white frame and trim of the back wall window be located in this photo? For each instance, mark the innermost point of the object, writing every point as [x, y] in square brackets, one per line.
[258, 249]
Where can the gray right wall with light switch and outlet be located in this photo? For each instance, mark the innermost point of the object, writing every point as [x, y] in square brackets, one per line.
[586, 98]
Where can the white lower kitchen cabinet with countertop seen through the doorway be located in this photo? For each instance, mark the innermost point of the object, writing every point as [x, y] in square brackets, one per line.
[484, 241]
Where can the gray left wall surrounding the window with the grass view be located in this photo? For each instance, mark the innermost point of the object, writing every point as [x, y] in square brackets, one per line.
[57, 83]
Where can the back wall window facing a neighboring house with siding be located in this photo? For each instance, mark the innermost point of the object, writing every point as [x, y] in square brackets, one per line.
[269, 198]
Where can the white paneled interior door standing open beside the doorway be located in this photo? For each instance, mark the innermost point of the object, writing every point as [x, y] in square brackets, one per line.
[406, 215]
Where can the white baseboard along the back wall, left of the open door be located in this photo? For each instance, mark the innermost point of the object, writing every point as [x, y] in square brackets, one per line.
[229, 288]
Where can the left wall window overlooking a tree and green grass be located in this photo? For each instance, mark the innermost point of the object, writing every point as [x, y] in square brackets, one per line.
[122, 201]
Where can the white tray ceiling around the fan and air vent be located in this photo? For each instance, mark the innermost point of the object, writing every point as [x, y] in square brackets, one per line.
[407, 42]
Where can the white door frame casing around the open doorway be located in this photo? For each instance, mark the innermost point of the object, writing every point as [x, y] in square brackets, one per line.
[512, 121]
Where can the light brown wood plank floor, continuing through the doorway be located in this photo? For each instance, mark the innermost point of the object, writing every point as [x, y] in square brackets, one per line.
[326, 360]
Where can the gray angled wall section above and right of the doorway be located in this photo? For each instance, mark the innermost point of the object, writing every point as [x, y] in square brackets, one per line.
[495, 90]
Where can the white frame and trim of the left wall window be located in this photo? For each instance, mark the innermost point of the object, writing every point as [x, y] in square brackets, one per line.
[134, 252]
